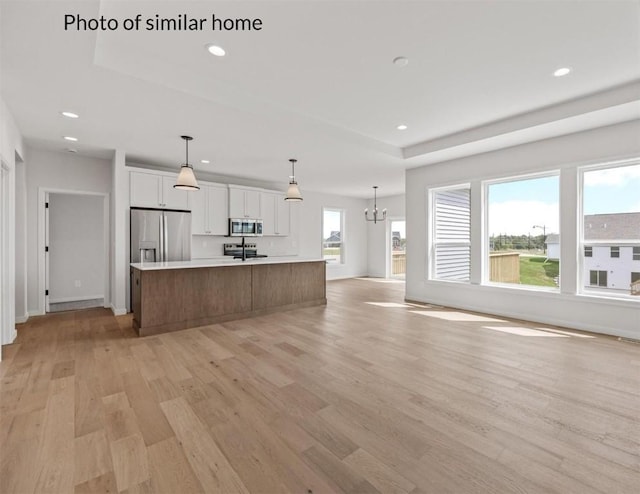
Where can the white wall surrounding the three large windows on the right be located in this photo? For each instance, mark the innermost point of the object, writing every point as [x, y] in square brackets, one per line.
[567, 308]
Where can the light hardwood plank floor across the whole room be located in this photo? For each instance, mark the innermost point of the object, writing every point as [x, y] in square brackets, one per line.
[351, 397]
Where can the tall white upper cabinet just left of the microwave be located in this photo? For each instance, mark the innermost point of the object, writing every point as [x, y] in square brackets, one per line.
[209, 210]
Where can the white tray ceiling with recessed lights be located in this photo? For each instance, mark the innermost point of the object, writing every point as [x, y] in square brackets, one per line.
[318, 83]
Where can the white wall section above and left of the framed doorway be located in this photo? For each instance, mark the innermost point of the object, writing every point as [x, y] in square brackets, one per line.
[61, 172]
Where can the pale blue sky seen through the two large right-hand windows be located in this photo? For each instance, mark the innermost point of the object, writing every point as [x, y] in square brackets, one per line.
[515, 207]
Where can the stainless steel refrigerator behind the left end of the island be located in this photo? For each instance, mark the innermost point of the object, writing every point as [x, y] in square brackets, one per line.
[160, 235]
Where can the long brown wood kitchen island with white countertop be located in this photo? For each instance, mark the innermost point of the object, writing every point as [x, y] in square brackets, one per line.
[169, 296]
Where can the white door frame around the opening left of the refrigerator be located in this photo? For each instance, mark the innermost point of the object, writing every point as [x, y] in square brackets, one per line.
[43, 235]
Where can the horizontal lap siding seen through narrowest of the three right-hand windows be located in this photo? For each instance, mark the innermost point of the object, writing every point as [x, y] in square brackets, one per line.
[452, 239]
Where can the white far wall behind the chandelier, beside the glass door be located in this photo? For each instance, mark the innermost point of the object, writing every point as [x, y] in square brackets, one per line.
[379, 234]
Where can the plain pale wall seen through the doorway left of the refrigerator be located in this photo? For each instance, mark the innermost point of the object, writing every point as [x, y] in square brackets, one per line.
[76, 247]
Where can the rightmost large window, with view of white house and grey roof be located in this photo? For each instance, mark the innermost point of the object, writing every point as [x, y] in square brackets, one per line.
[610, 228]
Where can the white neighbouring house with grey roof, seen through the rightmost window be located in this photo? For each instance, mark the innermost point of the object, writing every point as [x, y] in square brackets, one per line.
[612, 250]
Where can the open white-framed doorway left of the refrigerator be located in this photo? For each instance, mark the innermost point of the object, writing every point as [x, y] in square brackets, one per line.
[75, 228]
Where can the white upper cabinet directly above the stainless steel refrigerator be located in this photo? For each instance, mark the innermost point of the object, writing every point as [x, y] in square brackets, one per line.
[155, 190]
